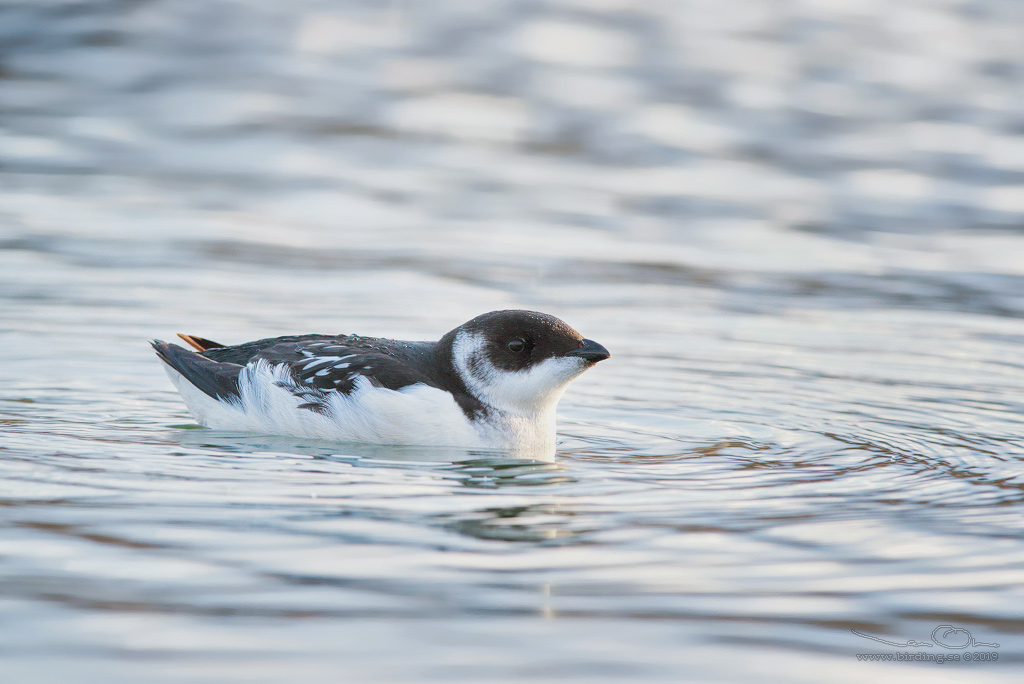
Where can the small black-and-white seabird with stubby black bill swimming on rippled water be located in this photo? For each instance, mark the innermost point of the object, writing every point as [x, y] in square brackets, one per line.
[493, 382]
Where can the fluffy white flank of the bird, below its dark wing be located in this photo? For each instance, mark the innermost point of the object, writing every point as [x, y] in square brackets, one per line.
[414, 415]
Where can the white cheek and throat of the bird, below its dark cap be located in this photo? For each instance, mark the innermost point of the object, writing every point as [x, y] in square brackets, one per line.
[534, 391]
